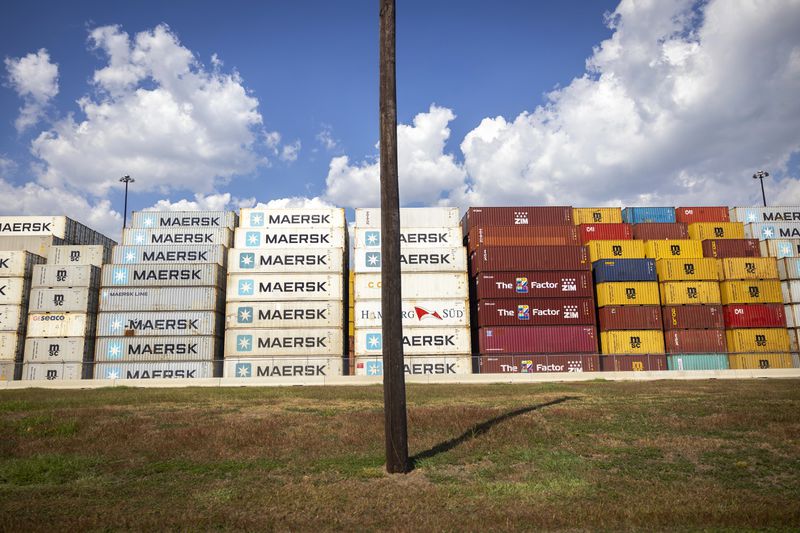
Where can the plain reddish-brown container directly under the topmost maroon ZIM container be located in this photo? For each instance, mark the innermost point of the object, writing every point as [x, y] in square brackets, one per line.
[522, 236]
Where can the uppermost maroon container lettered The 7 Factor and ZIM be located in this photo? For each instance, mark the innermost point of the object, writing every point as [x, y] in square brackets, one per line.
[523, 284]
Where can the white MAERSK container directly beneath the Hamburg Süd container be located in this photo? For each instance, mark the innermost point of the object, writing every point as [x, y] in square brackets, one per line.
[417, 341]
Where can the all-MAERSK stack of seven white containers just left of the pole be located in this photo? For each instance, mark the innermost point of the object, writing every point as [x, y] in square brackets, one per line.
[287, 283]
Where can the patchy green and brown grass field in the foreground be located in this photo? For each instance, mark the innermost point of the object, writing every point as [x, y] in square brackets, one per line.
[584, 456]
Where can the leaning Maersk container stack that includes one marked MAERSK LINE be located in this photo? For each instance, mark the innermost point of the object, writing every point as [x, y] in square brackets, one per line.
[162, 297]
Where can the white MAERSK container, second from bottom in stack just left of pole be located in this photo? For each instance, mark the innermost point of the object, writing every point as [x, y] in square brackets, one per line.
[282, 342]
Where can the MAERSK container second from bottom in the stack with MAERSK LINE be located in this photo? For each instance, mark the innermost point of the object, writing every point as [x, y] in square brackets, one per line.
[143, 349]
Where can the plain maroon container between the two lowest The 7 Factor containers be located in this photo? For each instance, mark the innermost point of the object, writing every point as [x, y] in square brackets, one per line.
[537, 339]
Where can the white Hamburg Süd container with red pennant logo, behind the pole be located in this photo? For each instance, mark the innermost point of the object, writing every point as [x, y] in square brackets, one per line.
[422, 313]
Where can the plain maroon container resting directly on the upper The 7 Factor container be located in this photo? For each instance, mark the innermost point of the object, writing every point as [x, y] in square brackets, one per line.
[505, 258]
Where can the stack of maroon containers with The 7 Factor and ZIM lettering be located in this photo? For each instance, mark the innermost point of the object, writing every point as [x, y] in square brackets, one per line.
[532, 291]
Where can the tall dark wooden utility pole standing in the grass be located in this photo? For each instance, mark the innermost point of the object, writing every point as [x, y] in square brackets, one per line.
[394, 380]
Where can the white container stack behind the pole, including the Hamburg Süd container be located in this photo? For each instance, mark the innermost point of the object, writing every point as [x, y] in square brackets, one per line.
[433, 264]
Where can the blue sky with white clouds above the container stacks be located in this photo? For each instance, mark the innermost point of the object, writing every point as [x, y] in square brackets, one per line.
[641, 109]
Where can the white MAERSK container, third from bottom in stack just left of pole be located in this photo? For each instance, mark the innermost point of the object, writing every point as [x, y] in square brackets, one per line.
[314, 314]
